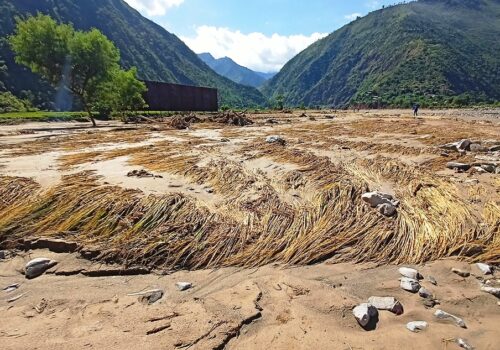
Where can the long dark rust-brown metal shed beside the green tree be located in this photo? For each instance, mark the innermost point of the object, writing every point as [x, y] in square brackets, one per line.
[174, 97]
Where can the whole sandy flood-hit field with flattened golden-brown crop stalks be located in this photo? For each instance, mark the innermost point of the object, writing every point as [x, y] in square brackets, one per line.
[275, 235]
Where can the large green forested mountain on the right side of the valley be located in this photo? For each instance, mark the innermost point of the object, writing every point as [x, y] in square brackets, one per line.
[436, 52]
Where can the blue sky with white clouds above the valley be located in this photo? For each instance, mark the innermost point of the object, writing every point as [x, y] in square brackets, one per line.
[260, 34]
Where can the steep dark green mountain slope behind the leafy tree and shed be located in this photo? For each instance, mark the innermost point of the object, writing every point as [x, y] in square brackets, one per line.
[158, 54]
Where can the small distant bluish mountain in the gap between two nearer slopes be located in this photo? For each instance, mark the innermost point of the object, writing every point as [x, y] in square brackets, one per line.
[232, 70]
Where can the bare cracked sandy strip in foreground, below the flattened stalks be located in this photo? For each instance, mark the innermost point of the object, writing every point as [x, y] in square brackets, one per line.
[269, 307]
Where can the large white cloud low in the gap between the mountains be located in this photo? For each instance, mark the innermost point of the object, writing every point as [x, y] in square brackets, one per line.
[254, 50]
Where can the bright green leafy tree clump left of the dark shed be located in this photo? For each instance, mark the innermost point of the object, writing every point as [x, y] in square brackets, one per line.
[86, 62]
